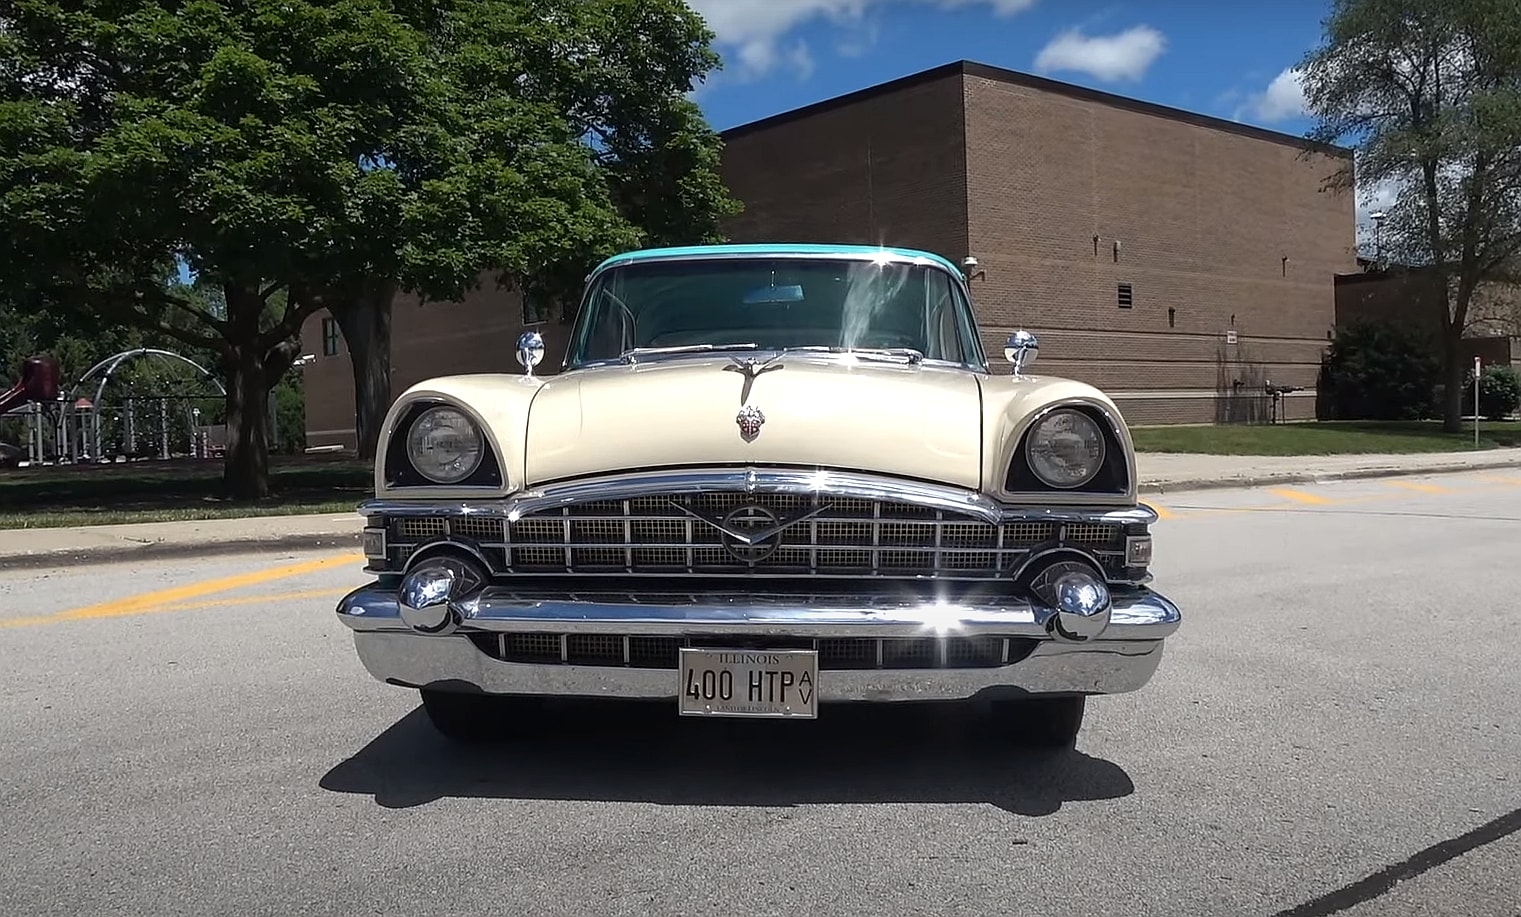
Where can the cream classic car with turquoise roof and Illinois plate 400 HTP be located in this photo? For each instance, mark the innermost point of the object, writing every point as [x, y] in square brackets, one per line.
[767, 480]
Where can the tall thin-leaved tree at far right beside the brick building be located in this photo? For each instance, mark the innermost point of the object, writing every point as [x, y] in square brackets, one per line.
[1431, 92]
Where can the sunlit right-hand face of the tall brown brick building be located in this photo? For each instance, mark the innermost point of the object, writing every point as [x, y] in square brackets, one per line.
[1204, 218]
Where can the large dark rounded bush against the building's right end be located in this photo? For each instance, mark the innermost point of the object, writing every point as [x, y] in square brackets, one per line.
[1379, 370]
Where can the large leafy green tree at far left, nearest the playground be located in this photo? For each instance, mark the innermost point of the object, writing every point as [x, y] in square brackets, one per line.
[313, 154]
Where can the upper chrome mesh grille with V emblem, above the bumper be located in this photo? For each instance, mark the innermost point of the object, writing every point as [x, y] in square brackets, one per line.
[662, 536]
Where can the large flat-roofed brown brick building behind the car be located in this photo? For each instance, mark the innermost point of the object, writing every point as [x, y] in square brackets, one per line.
[1176, 261]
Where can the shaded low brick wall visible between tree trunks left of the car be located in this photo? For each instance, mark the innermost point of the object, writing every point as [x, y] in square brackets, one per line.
[475, 335]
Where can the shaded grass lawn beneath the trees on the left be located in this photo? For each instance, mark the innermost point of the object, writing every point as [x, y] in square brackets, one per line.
[174, 490]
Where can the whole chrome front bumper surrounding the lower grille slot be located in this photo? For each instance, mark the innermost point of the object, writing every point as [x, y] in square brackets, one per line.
[1120, 659]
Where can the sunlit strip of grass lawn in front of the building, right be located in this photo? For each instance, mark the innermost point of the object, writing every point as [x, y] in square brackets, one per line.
[1326, 439]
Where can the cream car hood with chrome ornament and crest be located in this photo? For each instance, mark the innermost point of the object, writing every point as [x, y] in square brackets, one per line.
[837, 413]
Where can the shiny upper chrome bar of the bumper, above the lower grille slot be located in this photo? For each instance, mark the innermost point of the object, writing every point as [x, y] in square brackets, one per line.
[1138, 615]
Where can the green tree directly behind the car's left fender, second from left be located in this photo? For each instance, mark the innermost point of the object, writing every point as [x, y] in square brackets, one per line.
[611, 77]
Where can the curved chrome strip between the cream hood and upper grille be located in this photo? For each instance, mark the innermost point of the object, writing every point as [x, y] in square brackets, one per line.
[770, 481]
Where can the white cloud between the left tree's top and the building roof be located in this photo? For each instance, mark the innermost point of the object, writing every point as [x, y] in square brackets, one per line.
[754, 33]
